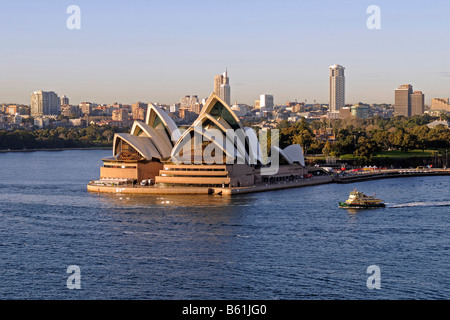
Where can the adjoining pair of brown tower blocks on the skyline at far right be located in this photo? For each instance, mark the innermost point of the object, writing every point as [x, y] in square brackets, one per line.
[408, 102]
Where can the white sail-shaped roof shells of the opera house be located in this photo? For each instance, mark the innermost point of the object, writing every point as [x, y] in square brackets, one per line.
[159, 137]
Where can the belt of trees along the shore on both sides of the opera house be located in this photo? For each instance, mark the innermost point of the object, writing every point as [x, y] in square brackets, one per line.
[360, 137]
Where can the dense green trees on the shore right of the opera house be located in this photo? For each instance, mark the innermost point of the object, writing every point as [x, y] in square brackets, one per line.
[365, 137]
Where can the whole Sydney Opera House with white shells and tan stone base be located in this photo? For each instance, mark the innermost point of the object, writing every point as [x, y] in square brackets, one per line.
[216, 154]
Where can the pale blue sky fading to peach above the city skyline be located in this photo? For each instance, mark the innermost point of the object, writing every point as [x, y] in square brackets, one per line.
[159, 51]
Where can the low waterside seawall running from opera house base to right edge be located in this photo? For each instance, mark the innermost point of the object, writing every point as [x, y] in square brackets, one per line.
[316, 180]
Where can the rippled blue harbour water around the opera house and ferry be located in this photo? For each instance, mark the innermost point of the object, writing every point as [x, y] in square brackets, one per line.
[289, 244]
